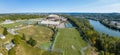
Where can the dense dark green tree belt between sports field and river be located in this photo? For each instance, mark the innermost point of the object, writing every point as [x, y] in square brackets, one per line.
[105, 44]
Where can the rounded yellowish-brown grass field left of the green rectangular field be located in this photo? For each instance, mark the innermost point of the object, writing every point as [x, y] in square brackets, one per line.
[39, 33]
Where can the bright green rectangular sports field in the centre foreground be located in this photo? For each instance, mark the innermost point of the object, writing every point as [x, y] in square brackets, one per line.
[69, 42]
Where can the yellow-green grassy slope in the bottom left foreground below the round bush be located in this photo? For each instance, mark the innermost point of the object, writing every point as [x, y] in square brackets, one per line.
[24, 49]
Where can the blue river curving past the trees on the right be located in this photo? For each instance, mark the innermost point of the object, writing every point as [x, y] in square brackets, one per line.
[103, 29]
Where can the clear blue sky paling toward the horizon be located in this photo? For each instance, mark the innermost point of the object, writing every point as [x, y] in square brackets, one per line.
[91, 6]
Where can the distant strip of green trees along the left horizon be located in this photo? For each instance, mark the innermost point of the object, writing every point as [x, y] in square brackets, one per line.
[20, 16]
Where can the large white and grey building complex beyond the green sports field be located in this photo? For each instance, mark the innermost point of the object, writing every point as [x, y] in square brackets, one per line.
[54, 21]
